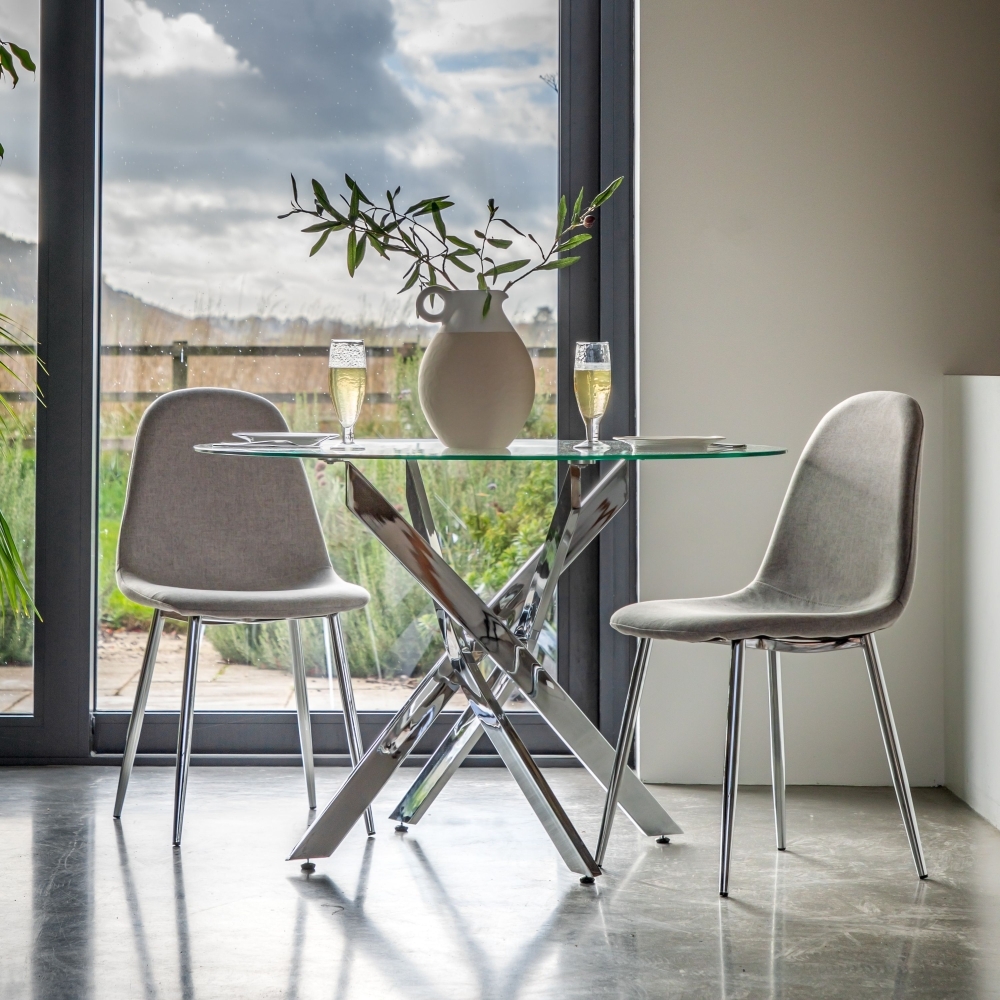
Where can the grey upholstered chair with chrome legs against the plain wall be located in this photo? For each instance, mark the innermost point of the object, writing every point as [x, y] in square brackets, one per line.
[839, 568]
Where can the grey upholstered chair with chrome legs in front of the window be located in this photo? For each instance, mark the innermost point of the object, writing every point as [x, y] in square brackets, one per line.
[214, 539]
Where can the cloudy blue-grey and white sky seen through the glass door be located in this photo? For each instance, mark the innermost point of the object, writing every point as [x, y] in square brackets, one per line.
[210, 104]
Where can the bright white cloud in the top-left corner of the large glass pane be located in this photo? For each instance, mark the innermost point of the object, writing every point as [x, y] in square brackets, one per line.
[142, 41]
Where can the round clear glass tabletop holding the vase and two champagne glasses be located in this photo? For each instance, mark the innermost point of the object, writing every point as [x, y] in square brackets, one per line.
[523, 450]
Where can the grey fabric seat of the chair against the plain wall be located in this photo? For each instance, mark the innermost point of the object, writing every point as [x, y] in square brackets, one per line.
[756, 611]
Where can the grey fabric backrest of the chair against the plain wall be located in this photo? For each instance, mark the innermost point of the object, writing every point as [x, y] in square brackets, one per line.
[846, 533]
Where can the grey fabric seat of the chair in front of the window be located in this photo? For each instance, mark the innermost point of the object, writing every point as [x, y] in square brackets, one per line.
[326, 594]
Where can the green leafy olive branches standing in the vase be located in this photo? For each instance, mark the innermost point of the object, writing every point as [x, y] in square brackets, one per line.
[420, 233]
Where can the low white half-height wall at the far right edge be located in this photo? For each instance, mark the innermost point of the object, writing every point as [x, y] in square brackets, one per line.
[972, 592]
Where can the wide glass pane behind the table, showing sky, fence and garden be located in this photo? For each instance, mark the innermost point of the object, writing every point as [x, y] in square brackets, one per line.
[209, 106]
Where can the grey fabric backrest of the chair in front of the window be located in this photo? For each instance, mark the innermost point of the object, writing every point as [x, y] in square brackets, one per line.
[213, 522]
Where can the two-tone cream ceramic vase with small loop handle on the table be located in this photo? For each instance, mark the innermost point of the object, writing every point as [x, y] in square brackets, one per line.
[476, 382]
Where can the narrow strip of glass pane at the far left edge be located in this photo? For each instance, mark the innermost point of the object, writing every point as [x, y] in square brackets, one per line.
[18, 275]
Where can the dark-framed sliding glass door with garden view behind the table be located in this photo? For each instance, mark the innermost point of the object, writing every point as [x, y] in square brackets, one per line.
[169, 131]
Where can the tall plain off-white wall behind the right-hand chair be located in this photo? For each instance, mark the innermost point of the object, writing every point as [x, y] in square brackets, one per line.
[820, 215]
